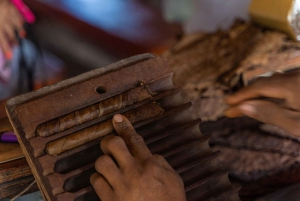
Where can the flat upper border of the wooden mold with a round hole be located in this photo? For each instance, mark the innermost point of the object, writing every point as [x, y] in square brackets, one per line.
[80, 88]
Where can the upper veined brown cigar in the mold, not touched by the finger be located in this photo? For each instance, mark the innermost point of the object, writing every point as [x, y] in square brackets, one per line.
[93, 111]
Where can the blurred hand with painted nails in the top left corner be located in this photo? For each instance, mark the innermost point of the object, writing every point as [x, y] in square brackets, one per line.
[11, 21]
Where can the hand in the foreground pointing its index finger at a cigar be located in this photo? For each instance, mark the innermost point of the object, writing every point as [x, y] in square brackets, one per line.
[136, 174]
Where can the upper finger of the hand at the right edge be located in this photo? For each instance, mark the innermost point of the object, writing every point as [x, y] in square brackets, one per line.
[272, 87]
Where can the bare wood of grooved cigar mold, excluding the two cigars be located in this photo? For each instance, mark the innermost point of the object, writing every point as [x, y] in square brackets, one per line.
[173, 134]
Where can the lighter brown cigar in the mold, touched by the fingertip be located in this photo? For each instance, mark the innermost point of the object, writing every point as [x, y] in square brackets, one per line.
[104, 128]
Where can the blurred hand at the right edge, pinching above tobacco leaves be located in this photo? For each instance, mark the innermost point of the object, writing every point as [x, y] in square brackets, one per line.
[286, 115]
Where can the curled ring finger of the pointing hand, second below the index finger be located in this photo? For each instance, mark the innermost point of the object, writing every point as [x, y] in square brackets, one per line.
[108, 168]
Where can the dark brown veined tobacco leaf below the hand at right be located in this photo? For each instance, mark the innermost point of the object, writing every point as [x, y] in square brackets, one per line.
[249, 152]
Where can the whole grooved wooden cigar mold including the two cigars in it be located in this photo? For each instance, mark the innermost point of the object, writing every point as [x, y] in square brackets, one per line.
[60, 127]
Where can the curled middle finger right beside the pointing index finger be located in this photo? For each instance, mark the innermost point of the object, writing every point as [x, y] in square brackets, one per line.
[115, 146]
